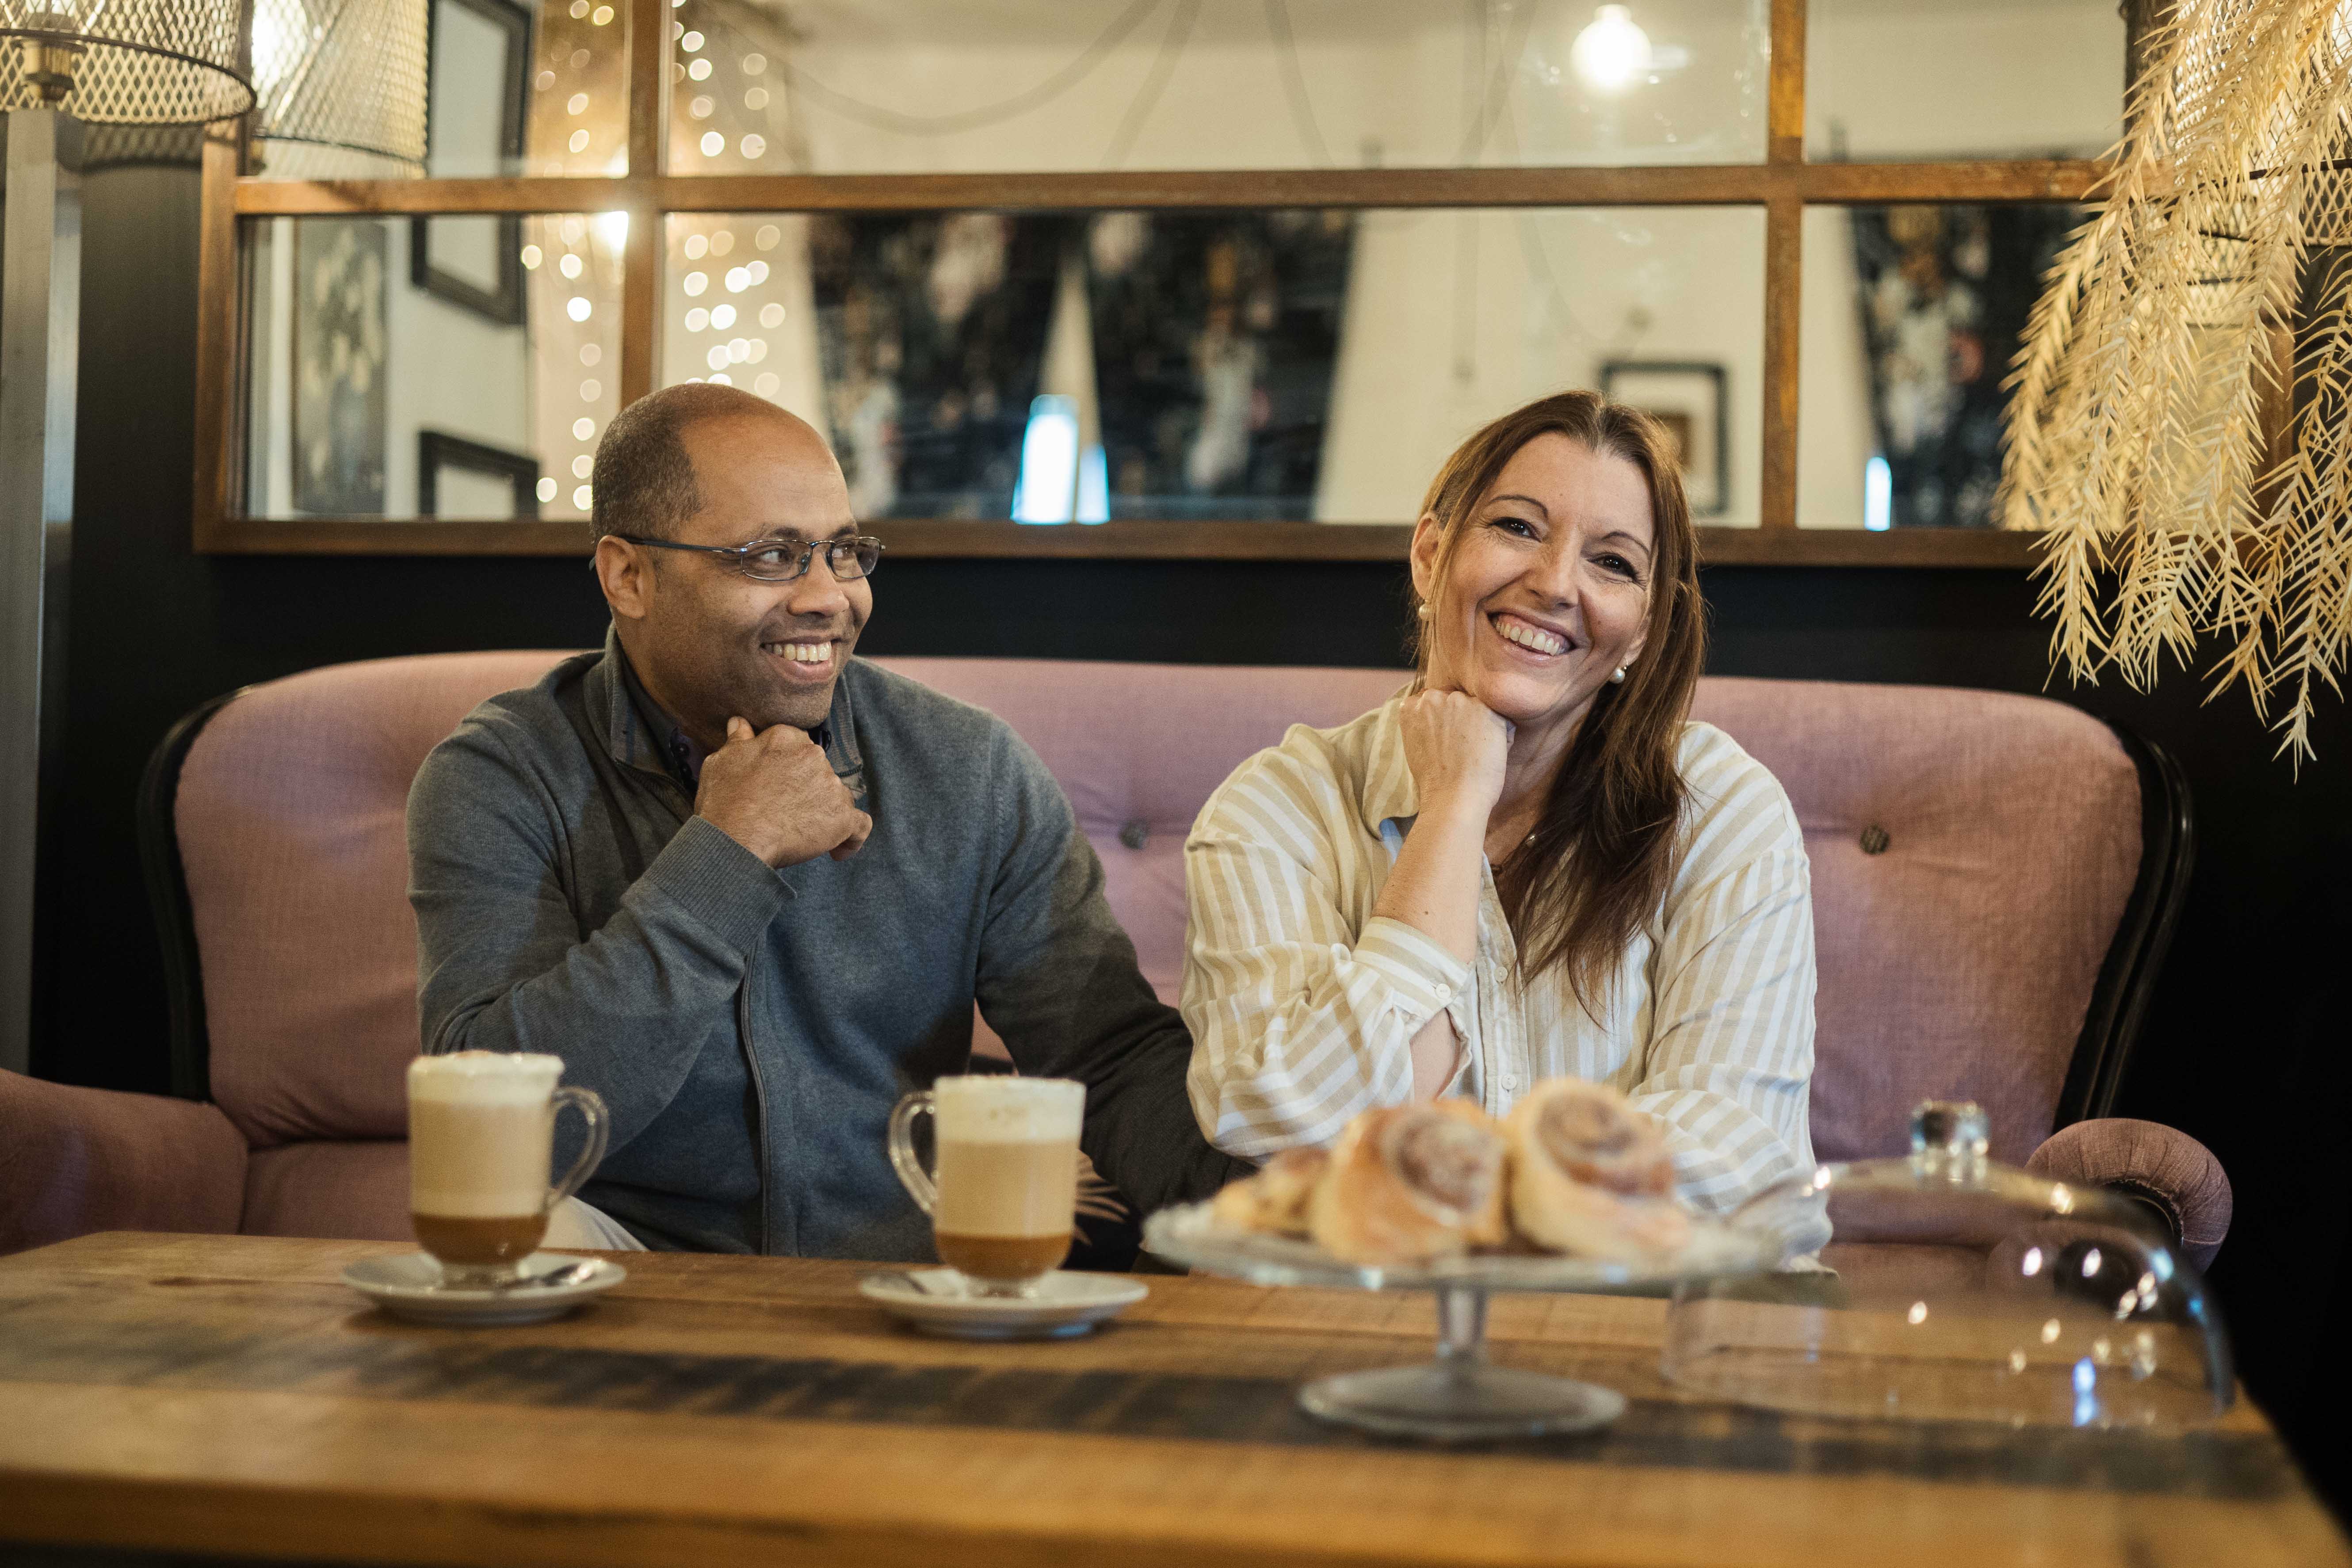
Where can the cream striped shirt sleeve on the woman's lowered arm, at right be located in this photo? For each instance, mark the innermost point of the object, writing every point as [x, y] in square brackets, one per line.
[1730, 1061]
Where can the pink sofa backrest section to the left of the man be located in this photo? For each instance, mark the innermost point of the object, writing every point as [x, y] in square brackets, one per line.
[290, 819]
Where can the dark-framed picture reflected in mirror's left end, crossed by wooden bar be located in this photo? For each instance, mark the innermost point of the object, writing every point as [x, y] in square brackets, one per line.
[476, 112]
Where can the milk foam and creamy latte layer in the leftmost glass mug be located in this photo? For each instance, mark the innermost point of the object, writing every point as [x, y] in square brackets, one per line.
[481, 1130]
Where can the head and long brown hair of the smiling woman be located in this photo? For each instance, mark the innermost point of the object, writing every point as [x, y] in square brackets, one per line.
[1553, 549]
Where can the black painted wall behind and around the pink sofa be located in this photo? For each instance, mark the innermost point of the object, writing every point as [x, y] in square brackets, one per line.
[2245, 1045]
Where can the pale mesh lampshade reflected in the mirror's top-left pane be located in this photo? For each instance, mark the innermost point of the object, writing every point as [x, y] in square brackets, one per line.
[342, 88]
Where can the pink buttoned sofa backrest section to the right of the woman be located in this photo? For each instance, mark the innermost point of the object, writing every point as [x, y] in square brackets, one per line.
[1972, 859]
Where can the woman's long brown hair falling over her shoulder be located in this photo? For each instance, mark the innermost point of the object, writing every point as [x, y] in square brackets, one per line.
[1605, 847]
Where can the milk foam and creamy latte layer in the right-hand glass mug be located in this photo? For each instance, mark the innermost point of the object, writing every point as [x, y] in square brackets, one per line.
[1008, 1158]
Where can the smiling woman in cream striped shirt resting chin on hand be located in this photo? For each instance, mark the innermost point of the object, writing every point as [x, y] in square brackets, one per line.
[1528, 864]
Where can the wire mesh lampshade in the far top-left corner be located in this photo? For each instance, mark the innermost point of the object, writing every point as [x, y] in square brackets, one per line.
[123, 62]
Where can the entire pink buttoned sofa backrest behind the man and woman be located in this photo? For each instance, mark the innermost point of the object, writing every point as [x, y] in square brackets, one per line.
[1972, 857]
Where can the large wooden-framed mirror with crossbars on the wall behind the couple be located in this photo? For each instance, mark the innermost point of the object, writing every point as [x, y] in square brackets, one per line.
[1182, 279]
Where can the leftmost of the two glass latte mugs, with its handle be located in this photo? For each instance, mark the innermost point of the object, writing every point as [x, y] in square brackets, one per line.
[481, 1141]
